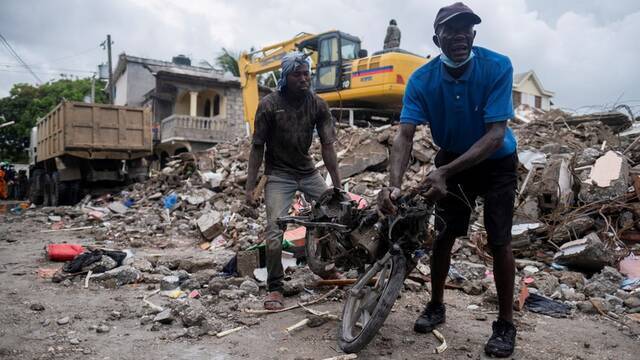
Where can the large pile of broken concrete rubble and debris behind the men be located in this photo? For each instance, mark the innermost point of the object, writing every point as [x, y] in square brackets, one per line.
[576, 230]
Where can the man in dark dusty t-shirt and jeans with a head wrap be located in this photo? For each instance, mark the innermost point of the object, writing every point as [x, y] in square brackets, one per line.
[285, 122]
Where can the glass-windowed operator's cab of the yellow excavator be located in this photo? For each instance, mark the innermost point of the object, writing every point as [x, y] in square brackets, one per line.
[335, 52]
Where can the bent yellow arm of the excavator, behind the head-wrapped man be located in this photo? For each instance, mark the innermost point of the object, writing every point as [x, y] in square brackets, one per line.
[259, 62]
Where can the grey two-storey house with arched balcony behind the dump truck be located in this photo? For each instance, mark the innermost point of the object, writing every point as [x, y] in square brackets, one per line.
[194, 107]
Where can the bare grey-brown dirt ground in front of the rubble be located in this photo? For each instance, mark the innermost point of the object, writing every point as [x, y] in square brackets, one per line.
[29, 334]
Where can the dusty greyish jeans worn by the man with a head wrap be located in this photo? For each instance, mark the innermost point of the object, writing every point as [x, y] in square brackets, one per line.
[279, 194]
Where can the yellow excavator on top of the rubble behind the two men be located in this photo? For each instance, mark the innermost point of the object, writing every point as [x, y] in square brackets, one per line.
[343, 74]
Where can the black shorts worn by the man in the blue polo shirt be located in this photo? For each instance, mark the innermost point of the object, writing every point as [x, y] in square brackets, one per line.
[493, 179]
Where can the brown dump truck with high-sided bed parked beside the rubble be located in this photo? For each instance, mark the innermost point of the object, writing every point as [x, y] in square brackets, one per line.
[78, 145]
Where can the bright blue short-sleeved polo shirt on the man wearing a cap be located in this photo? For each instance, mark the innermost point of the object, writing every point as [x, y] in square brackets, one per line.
[458, 109]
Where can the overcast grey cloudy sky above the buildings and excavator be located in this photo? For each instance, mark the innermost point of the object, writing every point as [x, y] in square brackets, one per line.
[585, 51]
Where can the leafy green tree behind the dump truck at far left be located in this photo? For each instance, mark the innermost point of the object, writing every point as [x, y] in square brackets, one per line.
[27, 103]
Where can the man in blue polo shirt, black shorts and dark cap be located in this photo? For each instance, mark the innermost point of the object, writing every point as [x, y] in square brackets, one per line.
[464, 95]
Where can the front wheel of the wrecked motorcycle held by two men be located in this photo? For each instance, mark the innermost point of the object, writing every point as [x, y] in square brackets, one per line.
[369, 302]
